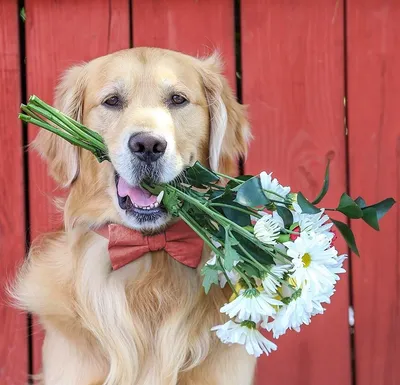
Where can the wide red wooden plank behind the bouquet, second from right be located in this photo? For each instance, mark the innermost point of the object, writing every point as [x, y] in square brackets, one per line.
[293, 82]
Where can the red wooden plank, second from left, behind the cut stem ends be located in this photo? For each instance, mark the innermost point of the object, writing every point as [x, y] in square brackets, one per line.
[59, 34]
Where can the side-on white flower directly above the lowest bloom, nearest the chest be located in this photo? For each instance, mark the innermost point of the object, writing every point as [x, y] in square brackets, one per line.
[251, 305]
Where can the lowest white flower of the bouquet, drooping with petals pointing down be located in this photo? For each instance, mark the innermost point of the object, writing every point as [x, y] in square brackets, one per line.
[246, 334]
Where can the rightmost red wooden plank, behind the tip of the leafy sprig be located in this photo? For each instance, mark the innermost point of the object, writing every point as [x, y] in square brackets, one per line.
[374, 149]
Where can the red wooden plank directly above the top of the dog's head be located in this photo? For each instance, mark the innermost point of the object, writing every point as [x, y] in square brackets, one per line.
[193, 27]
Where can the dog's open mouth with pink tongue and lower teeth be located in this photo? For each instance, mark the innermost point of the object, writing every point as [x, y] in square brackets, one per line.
[138, 202]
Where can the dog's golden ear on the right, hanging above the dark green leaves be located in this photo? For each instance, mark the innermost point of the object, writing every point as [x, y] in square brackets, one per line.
[229, 128]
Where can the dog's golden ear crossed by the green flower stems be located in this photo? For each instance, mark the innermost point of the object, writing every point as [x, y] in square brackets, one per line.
[61, 156]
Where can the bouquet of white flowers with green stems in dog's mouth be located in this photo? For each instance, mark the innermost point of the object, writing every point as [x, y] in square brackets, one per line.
[274, 248]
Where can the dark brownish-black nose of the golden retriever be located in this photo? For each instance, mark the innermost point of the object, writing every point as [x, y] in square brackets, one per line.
[147, 147]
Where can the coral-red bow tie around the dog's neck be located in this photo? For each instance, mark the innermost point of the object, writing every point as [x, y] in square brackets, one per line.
[126, 245]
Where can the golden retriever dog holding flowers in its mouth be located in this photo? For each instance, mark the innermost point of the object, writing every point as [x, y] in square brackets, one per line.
[147, 323]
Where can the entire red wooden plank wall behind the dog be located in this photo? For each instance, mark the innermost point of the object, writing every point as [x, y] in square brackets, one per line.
[295, 63]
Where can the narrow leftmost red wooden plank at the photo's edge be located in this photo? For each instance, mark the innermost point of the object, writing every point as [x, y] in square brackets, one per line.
[13, 334]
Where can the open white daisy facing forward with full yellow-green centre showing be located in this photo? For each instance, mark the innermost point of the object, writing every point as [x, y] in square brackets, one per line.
[311, 257]
